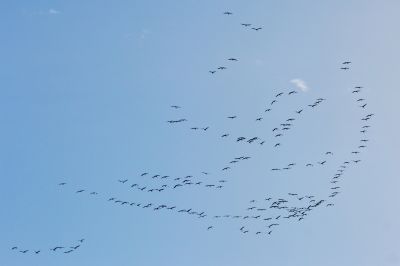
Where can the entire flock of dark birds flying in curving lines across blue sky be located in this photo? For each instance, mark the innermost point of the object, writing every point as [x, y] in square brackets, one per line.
[261, 216]
